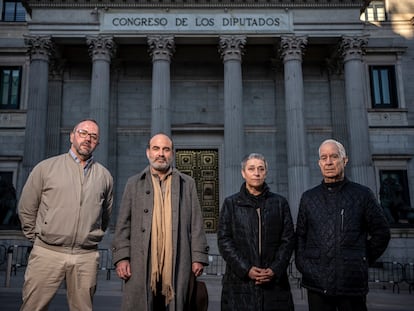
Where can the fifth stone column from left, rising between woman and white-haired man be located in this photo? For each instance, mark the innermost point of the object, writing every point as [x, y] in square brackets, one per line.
[292, 49]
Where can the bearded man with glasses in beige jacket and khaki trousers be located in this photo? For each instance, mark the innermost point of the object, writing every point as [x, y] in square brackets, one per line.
[64, 210]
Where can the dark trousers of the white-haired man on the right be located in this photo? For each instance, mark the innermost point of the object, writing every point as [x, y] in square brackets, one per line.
[320, 302]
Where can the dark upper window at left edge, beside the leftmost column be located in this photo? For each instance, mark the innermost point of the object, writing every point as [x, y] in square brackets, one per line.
[10, 81]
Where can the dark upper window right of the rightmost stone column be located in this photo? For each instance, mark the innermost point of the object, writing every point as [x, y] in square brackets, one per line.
[383, 87]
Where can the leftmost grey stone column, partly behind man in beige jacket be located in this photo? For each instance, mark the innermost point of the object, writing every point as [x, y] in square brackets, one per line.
[40, 48]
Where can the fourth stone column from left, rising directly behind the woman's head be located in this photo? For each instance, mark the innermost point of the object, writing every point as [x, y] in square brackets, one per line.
[231, 49]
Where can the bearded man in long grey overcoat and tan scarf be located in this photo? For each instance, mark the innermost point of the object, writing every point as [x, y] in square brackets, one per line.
[159, 238]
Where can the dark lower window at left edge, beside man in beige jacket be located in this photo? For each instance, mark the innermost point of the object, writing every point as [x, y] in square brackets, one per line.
[8, 202]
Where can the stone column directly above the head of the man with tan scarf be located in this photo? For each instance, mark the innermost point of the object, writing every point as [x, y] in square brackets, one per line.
[161, 49]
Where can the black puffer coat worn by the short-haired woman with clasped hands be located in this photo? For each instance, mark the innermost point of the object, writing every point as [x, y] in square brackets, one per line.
[238, 240]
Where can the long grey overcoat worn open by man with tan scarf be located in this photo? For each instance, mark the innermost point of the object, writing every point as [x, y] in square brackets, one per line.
[133, 233]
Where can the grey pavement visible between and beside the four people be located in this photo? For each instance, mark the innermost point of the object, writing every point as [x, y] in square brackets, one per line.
[109, 294]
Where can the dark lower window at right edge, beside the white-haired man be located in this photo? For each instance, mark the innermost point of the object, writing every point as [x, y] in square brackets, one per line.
[395, 197]
